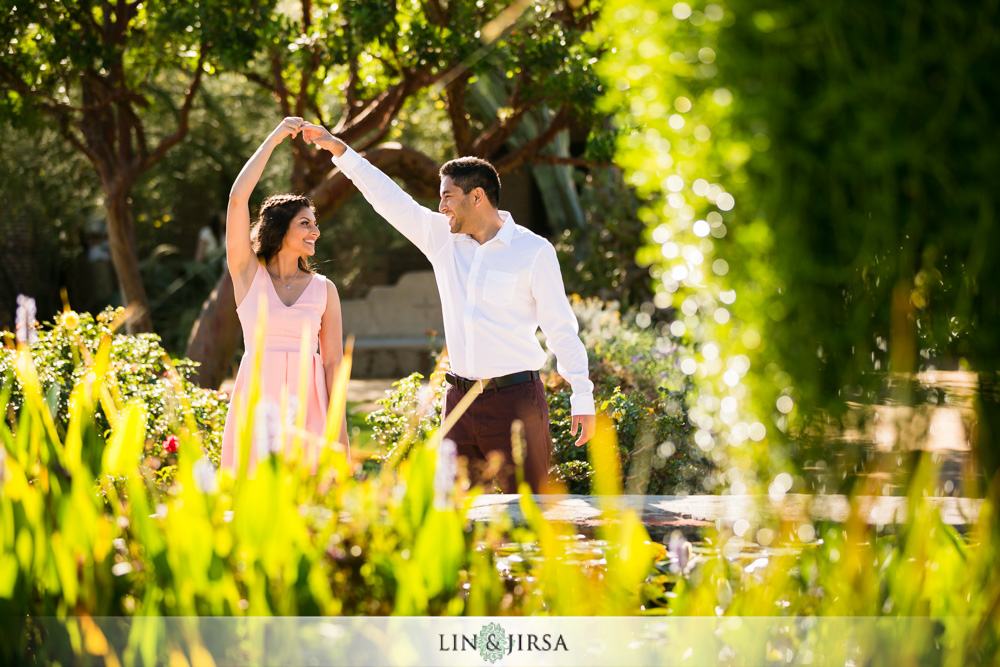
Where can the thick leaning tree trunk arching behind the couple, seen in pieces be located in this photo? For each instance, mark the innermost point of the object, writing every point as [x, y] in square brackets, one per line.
[216, 334]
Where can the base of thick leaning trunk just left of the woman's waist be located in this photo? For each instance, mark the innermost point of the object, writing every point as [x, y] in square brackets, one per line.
[215, 335]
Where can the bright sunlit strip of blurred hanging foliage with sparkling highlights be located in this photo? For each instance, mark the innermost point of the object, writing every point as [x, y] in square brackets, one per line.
[686, 161]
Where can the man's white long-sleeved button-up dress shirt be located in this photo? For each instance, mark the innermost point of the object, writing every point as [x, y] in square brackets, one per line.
[494, 296]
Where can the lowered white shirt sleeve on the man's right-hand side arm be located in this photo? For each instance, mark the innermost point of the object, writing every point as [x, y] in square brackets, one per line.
[558, 322]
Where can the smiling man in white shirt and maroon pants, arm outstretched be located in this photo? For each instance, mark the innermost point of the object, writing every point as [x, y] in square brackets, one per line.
[499, 283]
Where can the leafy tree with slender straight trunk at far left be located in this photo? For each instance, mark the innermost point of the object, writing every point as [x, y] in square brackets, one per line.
[99, 70]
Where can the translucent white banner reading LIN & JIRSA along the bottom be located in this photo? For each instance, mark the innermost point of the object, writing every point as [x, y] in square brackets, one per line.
[505, 641]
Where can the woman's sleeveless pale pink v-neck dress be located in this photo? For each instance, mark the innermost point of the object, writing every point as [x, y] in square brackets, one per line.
[281, 365]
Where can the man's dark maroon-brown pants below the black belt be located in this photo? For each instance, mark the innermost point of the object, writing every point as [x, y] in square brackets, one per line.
[486, 427]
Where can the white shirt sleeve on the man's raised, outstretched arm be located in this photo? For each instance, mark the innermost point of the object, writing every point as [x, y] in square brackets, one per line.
[423, 227]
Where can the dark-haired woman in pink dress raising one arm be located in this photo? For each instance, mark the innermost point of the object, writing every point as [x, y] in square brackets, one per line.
[299, 309]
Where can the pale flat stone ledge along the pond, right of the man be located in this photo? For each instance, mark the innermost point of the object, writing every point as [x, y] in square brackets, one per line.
[663, 514]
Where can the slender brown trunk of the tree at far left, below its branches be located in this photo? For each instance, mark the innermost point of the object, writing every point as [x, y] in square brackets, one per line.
[124, 256]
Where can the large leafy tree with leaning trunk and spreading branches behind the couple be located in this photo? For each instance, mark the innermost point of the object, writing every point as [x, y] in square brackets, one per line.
[355, 67]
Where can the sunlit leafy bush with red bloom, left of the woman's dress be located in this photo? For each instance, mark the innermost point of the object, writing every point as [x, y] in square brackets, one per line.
[139, 372]
